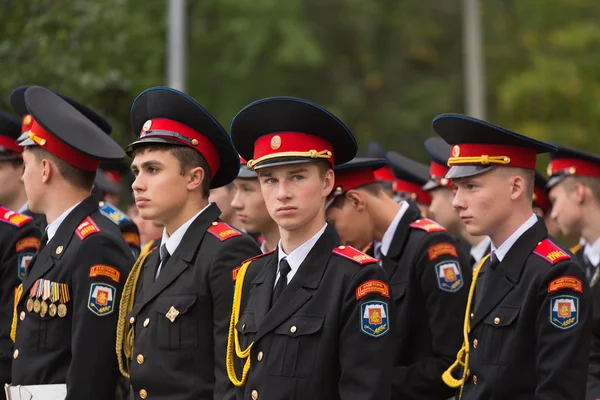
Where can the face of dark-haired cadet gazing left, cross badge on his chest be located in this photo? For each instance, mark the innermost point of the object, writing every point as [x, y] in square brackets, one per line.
[159, 188]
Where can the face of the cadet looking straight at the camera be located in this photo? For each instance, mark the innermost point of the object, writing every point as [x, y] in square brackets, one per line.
[295, 193]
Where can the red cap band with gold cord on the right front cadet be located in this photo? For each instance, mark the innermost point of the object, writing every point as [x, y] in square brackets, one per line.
[493, 155]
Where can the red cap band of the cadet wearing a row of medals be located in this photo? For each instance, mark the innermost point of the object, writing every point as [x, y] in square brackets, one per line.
[54, 145]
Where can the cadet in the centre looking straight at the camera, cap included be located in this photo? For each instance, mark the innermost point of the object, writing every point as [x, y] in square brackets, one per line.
[316, 320]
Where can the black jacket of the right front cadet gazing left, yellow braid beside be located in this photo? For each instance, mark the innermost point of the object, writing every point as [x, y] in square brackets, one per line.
[530, 334]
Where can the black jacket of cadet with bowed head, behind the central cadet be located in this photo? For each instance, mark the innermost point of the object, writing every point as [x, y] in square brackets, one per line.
[429, 279]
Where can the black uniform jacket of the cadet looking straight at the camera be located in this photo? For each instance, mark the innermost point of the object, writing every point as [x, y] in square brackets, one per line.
[327, 336]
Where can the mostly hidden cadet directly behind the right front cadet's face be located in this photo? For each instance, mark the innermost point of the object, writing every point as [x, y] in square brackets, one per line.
[441, 208]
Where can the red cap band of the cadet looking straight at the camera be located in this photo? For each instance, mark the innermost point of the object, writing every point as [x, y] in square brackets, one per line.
[291, 144]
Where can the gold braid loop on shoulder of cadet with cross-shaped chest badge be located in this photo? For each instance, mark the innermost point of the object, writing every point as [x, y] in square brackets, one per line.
[125, 330]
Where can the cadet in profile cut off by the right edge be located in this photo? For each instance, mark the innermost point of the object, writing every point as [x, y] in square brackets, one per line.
[574, 190]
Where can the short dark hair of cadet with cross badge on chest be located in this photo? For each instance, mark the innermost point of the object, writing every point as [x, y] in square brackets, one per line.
[188, 159]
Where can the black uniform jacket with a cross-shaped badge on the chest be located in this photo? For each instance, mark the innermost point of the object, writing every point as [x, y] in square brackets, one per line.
[181, 319]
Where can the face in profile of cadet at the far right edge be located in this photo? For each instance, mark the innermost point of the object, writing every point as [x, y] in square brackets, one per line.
[566, 210]
